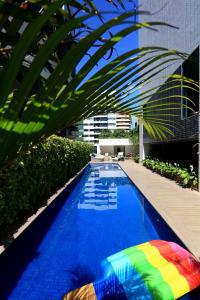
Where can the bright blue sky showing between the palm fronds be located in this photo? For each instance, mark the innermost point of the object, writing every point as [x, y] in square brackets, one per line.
[126, 44]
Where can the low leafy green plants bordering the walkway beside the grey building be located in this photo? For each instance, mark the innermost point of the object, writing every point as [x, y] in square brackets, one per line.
[185, 177]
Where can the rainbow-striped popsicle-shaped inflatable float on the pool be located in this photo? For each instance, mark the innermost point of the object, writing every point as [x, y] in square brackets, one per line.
[157, 270]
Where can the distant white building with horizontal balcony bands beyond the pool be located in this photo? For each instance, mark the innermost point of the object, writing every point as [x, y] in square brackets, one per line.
[90, 129]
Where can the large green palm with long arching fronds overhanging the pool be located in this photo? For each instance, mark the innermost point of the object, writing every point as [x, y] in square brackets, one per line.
[39, 91]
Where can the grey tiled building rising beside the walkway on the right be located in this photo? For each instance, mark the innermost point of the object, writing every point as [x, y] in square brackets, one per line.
[184, 15]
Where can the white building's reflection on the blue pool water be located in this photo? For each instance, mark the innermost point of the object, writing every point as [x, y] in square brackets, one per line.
[100, 190]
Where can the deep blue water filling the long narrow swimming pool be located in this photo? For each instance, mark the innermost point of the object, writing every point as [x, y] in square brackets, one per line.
[103, 214]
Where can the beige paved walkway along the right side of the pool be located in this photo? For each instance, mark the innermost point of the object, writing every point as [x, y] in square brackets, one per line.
[179, 207]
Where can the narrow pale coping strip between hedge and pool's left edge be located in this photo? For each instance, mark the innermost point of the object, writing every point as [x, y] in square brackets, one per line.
[32, 218]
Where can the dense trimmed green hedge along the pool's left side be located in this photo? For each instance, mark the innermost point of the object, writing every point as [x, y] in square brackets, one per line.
[35, 176]
